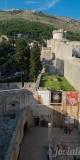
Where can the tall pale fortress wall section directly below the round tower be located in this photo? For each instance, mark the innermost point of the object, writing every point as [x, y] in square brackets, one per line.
[61, 50]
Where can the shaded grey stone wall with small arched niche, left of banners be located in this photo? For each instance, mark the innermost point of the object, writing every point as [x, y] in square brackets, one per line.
[11, 100]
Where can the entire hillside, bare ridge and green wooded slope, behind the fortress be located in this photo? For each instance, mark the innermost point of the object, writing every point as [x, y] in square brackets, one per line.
[36, 25]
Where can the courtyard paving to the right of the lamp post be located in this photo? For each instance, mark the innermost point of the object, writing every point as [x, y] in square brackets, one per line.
[72, 141]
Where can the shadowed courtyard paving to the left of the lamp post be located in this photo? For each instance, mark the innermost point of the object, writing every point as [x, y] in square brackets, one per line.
[34, 146]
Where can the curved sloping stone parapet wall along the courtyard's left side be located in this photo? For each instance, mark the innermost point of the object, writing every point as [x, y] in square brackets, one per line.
[15, 144]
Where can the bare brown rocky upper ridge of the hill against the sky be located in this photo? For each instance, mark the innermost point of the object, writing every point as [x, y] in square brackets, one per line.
[66, 23]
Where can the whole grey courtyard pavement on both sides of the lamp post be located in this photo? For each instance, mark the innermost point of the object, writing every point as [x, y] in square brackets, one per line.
[34, 146]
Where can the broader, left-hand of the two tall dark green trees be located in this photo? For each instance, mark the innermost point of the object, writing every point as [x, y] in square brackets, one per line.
[22, 55]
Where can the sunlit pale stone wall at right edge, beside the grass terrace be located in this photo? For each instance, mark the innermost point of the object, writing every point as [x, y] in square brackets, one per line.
[72, 71]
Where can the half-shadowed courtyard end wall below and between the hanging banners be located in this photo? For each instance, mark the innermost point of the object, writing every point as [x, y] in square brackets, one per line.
[57, 113]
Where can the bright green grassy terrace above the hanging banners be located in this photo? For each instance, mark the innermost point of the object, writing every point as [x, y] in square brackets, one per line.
[57, 83]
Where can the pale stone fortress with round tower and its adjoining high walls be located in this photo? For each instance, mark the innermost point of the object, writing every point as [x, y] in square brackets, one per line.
[61, 57]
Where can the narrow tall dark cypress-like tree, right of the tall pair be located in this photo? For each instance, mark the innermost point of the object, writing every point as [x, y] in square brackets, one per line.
[35, 63]
